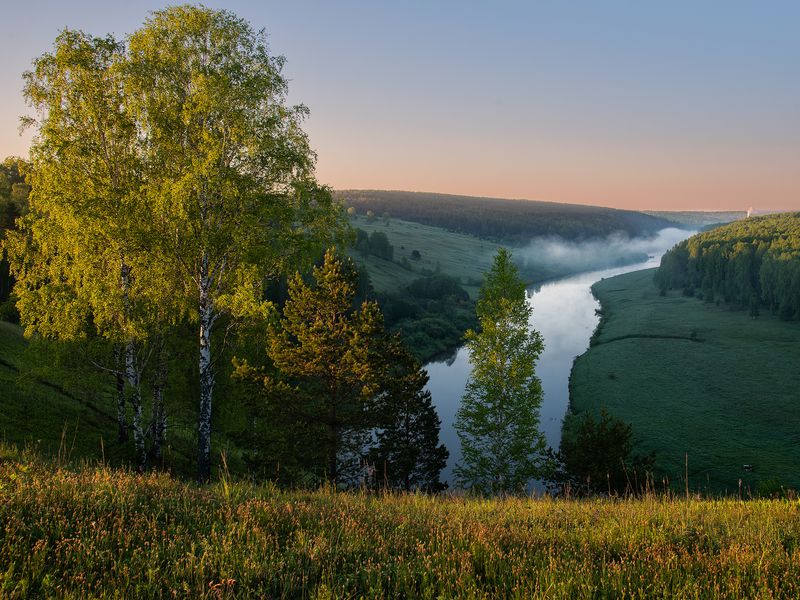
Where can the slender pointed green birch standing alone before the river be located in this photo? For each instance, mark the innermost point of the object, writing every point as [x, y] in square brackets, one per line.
[498, 420]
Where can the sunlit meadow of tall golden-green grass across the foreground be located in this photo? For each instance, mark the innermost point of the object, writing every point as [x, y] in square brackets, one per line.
[104, 533]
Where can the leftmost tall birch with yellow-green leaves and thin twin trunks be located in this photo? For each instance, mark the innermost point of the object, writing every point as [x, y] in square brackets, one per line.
[79, 252]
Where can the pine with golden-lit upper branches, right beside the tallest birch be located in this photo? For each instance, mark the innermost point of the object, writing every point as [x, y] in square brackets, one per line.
[330, 353]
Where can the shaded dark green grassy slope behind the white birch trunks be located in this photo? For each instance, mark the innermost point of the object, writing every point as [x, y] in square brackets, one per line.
[60, 406]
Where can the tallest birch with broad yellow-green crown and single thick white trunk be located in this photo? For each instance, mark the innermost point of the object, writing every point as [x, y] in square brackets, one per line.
[230, 179]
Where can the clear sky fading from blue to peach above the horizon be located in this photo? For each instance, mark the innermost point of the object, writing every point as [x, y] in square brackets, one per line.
[680, 105]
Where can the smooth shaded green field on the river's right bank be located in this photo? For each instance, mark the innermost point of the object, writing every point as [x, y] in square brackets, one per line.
[699, 379]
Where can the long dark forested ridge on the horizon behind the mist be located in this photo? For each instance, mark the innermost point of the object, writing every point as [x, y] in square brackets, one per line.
[510, 221]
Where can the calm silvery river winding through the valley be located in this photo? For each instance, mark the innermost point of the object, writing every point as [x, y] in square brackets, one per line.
[564, 313]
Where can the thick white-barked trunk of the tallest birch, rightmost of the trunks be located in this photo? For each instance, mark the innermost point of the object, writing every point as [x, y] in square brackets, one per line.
[206, 310]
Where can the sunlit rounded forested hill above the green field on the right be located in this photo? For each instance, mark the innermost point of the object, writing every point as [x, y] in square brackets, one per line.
[754, 262]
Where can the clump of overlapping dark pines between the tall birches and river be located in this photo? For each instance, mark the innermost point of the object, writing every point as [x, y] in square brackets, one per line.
[350, 393]
